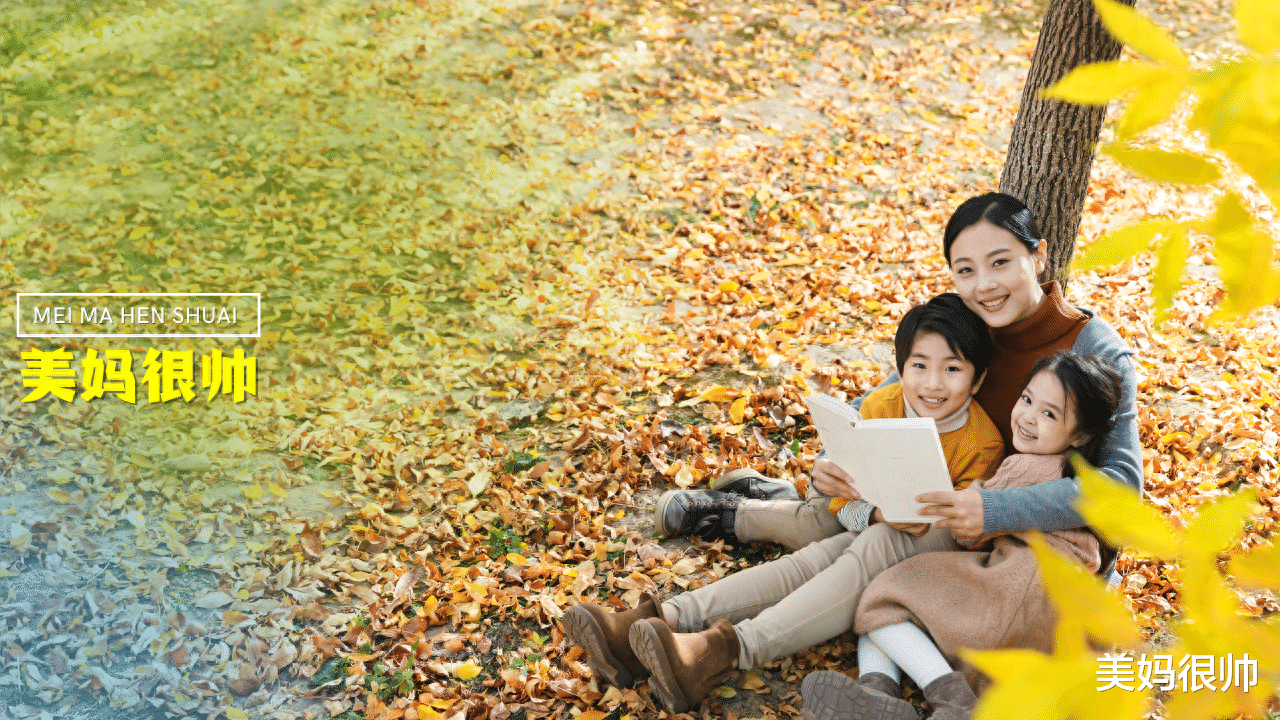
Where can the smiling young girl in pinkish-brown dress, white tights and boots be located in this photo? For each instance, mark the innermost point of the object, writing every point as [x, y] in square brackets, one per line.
[916, 616]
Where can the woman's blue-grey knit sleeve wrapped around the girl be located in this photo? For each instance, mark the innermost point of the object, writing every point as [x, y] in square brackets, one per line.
[1050, 507]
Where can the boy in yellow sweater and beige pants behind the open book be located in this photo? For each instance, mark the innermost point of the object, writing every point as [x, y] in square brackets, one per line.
[941, 350]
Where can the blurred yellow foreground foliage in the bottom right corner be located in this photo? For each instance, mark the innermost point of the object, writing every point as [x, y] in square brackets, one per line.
[1069, 683]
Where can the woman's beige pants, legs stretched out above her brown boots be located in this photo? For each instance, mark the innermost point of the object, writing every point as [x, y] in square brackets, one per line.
[803, 599]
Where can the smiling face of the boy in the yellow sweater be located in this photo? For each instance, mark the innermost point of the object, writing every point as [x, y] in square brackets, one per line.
[936, 381]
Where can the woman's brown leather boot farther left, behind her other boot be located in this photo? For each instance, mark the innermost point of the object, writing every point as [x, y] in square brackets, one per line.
[605, 637]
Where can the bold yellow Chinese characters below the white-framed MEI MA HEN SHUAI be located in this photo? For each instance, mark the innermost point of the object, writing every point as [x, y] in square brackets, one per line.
[168, 375]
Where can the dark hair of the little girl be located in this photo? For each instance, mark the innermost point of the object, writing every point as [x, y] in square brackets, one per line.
[1094, 388]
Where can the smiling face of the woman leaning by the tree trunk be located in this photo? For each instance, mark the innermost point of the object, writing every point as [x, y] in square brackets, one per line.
[995, 275]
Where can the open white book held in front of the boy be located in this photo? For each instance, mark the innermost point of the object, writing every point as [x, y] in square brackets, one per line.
[892, 461]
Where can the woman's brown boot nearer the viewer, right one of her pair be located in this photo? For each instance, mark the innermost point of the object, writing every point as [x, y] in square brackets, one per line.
[688, 666]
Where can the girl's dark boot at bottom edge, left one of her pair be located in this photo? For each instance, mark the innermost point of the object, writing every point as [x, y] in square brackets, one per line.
[835, 696]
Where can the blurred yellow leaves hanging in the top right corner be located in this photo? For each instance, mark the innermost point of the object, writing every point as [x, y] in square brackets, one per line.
[1238, 113]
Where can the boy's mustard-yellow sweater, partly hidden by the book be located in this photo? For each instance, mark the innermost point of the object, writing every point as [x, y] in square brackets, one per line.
[973, 452]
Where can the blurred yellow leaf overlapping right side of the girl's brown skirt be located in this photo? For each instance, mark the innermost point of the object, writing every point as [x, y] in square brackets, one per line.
[1084, 599]
